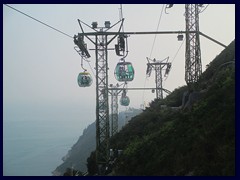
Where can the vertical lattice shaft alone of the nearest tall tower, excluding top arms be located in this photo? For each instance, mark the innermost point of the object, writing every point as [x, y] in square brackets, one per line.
[102, 108]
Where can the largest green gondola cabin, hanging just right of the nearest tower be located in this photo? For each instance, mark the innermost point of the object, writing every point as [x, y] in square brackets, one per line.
[124, 71]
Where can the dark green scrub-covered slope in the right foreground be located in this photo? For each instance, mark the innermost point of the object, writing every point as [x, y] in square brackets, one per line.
[196, 138]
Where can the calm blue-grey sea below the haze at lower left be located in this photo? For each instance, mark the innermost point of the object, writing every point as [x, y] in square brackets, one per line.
[34, 147]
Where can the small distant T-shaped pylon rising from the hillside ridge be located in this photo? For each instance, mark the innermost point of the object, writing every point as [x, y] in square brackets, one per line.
[158, 66]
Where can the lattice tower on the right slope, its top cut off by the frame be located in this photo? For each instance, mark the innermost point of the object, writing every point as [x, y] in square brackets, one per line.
[193, 65]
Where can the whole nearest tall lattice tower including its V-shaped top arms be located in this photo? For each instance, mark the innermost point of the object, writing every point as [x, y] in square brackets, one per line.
[102, 107]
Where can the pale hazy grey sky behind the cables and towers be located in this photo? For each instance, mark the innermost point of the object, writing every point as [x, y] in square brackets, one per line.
[40, 66]
